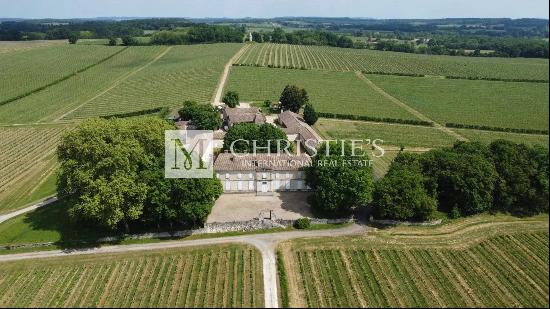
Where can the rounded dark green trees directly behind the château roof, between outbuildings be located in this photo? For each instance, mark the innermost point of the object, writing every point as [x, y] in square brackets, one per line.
[243, 135]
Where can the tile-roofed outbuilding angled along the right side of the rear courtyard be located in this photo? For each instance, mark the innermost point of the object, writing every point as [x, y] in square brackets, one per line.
[298, 130]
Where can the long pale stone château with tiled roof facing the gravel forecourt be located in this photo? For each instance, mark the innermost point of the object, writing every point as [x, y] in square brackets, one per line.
[261, 173]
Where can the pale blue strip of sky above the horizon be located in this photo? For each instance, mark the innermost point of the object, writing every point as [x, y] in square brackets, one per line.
[273, 8]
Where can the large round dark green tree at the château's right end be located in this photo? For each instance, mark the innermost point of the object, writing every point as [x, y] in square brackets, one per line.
[339, 187]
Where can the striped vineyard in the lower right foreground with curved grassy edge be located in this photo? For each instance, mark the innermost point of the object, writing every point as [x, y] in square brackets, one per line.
[477, 262]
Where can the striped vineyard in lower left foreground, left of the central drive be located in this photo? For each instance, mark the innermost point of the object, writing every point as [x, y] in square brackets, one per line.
[217, 276]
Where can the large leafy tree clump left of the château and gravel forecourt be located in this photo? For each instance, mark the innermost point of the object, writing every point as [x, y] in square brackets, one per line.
[112, 174]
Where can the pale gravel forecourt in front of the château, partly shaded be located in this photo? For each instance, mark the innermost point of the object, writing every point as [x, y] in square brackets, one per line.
[247, 206]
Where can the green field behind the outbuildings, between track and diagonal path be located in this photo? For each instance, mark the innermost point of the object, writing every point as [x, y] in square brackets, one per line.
[333, 92]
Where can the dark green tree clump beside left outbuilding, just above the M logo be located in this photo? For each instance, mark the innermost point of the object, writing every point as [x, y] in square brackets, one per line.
[203, 117]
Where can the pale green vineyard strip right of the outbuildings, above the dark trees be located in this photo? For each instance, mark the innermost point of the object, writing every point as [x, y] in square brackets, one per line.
[392, 134]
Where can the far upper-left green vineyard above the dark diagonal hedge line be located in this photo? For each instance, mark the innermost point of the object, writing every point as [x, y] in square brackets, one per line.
[24, 71]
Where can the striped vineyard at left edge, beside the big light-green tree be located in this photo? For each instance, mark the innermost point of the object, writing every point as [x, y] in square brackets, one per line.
[27, 164]
